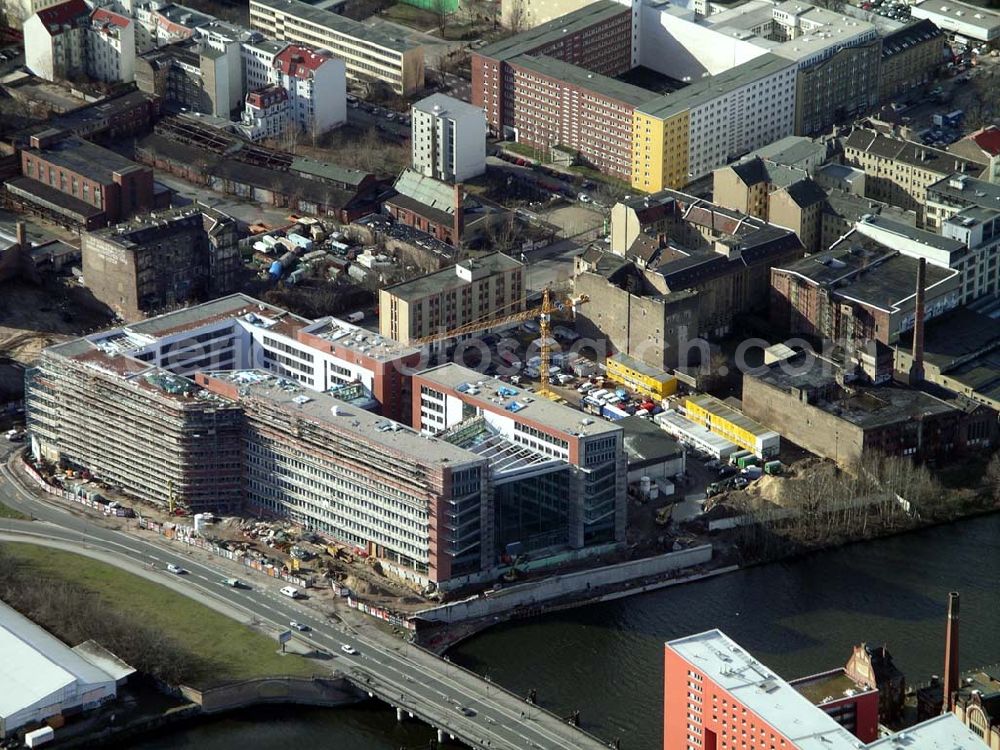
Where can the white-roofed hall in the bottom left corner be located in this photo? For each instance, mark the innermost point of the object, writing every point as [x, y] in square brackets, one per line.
[43, 678]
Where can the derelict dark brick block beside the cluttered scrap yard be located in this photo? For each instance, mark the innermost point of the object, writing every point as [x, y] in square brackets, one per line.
[162, 260]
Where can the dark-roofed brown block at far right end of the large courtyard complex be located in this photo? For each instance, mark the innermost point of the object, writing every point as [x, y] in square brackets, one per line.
[911, 57]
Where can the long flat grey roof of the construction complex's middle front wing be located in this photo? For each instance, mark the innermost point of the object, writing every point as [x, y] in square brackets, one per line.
[291, 396]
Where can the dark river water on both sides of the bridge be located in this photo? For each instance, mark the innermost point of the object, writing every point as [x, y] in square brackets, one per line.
[605, 660]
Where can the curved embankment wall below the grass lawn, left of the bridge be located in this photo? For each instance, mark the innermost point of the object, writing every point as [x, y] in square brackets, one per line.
[313, 692]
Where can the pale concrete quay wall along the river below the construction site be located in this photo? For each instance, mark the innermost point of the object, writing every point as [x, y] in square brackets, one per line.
[537, 593]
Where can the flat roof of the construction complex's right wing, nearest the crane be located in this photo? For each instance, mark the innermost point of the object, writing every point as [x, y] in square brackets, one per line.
[494, 395]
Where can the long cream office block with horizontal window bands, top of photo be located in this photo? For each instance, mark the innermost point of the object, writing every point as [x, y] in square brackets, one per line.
[367, 53]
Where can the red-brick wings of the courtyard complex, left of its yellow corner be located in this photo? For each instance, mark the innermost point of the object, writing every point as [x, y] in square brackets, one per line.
[552, 86]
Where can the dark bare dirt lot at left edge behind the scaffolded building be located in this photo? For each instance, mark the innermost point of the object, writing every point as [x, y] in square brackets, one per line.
[34, 317]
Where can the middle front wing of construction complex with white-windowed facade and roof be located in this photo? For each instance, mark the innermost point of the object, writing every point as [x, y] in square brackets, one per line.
[358, 478]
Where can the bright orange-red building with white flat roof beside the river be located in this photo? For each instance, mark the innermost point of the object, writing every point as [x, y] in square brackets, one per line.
[748, 700]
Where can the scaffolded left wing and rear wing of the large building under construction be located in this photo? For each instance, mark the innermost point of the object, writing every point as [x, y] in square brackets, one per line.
[107, 401]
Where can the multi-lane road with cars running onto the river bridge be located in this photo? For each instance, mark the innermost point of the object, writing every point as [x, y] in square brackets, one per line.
[413, 680]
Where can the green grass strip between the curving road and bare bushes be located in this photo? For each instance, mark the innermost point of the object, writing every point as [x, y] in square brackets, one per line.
[231, 651]
